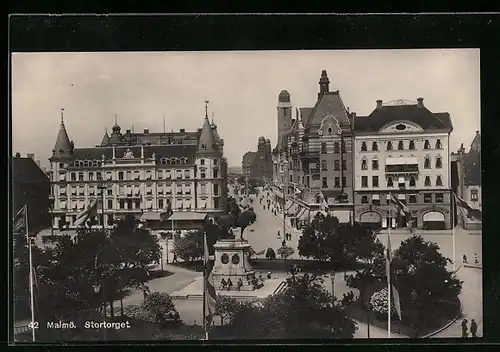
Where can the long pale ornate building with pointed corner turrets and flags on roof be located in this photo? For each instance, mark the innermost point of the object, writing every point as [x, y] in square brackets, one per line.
[142, 174]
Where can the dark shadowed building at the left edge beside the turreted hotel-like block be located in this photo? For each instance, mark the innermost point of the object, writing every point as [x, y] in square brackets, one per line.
[31, 187]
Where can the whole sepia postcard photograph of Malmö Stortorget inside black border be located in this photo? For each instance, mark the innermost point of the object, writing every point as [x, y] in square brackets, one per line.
[224, 195]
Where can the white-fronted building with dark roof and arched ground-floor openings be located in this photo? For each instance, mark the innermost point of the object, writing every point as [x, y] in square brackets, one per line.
[403, 148]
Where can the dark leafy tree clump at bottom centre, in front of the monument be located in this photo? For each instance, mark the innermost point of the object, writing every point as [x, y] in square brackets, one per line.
[303, 310]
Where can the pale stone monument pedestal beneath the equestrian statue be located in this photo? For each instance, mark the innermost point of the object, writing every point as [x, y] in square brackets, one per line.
[231, 262]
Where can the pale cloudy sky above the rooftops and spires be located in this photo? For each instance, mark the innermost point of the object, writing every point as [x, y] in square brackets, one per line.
[242, 87]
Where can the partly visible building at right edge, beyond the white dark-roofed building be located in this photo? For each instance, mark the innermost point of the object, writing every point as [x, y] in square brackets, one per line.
[468, 185]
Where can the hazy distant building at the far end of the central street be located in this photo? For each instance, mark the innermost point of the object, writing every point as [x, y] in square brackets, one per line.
[258, 165]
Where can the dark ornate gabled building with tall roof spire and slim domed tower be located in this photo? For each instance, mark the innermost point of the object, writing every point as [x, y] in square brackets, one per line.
[313, 157]
